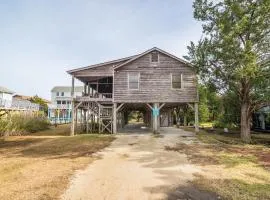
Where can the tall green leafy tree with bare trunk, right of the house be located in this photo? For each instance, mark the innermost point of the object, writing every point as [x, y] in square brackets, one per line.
[233, 53]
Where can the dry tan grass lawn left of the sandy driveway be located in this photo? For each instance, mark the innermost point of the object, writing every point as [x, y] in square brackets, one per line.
[39, 167]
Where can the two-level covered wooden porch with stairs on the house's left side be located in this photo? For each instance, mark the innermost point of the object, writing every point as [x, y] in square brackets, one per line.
[95, 105]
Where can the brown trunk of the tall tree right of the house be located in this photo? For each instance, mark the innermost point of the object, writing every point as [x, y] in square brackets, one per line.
[245, 123]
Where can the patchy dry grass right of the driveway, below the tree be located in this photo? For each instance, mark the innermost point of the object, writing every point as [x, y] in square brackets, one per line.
[230, 168]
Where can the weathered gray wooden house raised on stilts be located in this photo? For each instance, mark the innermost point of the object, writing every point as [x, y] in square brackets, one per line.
[154, 82]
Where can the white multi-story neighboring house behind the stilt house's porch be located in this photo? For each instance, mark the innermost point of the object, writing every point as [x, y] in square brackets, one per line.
[59, 110]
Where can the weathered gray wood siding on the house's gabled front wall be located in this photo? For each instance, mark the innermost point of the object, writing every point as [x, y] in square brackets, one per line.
[155, 81]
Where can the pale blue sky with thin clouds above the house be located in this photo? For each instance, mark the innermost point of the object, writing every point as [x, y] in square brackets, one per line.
[40, 40]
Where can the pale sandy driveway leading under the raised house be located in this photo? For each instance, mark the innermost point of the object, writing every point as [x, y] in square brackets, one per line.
[137, 166]
